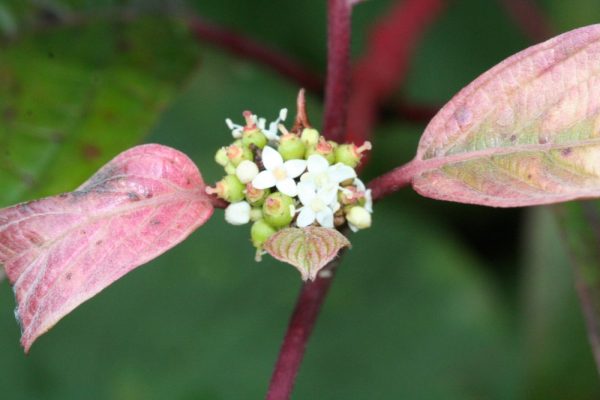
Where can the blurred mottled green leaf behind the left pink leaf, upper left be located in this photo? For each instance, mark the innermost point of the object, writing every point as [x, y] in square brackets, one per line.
[71, 98]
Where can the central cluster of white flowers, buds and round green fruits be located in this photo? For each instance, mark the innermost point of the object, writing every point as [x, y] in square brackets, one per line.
[277, 178]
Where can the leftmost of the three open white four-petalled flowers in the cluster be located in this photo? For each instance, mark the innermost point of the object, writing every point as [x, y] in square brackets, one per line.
[278, 173]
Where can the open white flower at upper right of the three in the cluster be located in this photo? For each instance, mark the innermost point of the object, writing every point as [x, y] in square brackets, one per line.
[325, 177]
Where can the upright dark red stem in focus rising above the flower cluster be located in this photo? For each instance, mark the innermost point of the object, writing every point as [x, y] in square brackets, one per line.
[338, 69]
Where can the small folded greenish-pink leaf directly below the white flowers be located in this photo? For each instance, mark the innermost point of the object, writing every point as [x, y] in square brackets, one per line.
[307, 249]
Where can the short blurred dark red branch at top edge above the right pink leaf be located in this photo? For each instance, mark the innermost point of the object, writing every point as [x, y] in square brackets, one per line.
[530, 18]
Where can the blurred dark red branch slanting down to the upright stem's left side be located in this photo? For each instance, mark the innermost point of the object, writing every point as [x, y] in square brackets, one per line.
[247, 48]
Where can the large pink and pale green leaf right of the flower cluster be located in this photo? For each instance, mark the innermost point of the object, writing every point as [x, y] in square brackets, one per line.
[526, 132]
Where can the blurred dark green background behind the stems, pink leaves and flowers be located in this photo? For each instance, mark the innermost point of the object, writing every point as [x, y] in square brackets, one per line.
[436, 301]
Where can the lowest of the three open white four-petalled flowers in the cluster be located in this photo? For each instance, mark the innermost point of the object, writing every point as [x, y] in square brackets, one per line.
[318, 205]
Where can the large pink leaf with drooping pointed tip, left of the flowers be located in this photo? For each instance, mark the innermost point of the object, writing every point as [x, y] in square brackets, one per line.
[62, 250]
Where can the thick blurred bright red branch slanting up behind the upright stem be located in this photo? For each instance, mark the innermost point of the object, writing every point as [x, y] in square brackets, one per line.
[385, 65]
